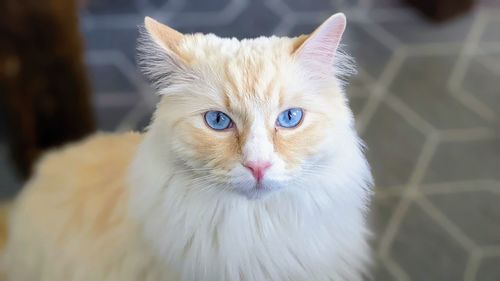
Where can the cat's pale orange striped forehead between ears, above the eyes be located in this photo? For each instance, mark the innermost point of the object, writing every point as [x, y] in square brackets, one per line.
[251, 73]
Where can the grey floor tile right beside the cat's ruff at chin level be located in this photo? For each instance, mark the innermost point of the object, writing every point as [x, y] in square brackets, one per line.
[386, 131]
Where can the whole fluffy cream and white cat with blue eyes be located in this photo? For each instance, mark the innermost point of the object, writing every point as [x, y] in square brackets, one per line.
[251, 170]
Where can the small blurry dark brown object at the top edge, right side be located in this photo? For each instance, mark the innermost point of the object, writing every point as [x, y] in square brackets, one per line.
[441, 10]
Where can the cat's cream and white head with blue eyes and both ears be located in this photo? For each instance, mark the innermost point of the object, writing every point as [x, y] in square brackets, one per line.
[250, 116]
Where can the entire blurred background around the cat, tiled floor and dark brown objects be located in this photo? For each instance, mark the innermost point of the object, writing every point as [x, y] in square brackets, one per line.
[427, 101]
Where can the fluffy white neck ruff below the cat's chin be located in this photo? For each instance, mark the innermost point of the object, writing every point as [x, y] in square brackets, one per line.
[313, 230]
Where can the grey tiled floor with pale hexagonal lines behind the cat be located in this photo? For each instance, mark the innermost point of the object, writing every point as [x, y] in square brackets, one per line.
[427, 101]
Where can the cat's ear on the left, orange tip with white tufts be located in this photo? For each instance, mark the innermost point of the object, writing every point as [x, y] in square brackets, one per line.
[159, 56]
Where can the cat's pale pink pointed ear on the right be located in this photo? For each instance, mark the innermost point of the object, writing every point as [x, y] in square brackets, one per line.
[320, 49]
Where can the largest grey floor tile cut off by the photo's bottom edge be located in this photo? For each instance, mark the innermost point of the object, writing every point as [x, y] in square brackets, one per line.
[425, 251]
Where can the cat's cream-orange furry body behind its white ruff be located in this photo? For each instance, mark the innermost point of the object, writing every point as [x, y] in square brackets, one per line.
[70, 222]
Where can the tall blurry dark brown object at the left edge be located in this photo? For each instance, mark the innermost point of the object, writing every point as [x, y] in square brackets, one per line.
[43, 85]
